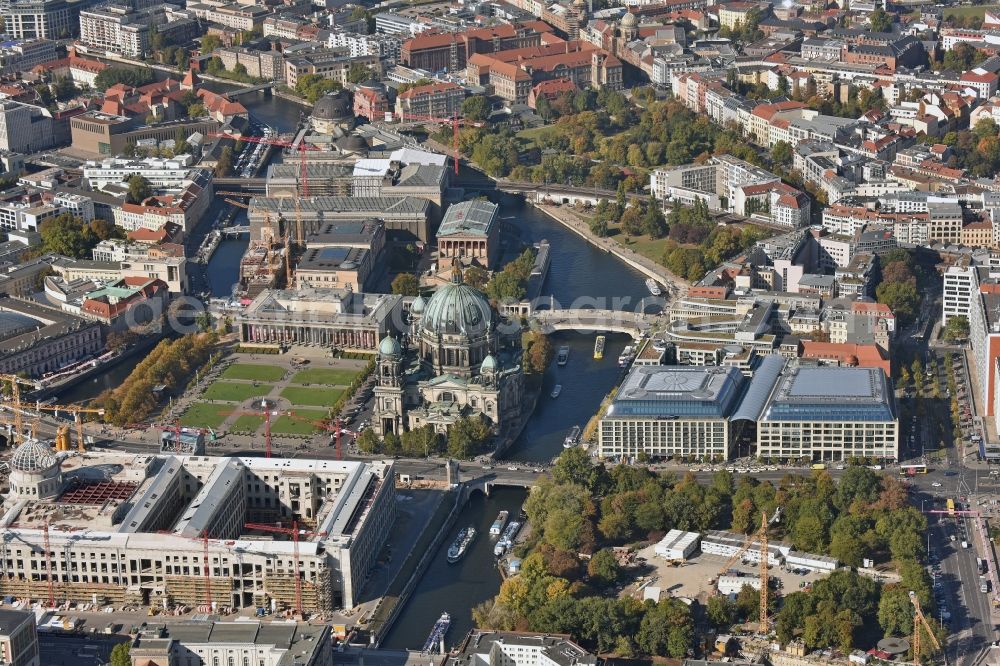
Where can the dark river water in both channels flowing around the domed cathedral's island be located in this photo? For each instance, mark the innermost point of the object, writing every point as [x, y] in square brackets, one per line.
[577, 271]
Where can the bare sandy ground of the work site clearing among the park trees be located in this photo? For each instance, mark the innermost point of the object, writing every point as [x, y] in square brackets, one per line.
[695, 578]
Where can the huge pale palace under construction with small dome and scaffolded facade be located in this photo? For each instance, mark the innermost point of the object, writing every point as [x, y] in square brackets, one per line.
[139, 529]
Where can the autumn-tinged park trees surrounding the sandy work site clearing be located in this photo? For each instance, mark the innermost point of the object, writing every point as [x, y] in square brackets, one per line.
[568, 574]
